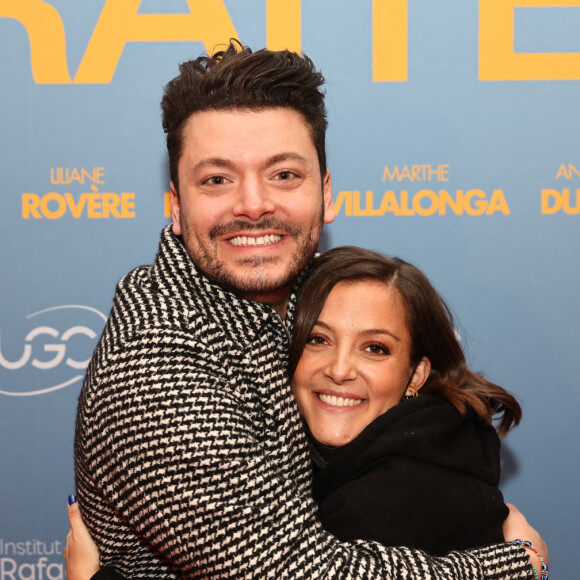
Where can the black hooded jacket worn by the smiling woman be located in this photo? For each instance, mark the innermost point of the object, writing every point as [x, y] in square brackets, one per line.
[421, 475]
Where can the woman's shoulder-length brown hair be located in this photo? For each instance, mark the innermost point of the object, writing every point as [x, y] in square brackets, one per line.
[430, 324]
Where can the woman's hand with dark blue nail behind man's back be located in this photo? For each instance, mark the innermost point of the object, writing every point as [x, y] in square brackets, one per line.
[81, 555]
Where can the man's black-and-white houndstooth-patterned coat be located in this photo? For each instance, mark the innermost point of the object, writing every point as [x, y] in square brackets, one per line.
[190, 457]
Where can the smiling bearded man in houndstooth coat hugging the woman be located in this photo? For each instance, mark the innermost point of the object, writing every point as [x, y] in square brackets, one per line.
[190, 455]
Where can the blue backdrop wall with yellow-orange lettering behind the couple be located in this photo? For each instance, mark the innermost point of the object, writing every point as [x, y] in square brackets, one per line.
[454, 142]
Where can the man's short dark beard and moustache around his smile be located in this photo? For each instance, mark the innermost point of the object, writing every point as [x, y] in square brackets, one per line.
[254, 278]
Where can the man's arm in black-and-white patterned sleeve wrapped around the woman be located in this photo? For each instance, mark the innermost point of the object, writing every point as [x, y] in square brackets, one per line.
[181, 460]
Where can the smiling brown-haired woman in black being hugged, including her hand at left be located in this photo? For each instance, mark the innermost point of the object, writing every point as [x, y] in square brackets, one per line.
[400, 428]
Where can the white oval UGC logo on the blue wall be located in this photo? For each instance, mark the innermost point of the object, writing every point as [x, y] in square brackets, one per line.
[55, 353]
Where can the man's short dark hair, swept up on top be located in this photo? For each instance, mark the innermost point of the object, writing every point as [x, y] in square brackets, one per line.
[237, 78]
